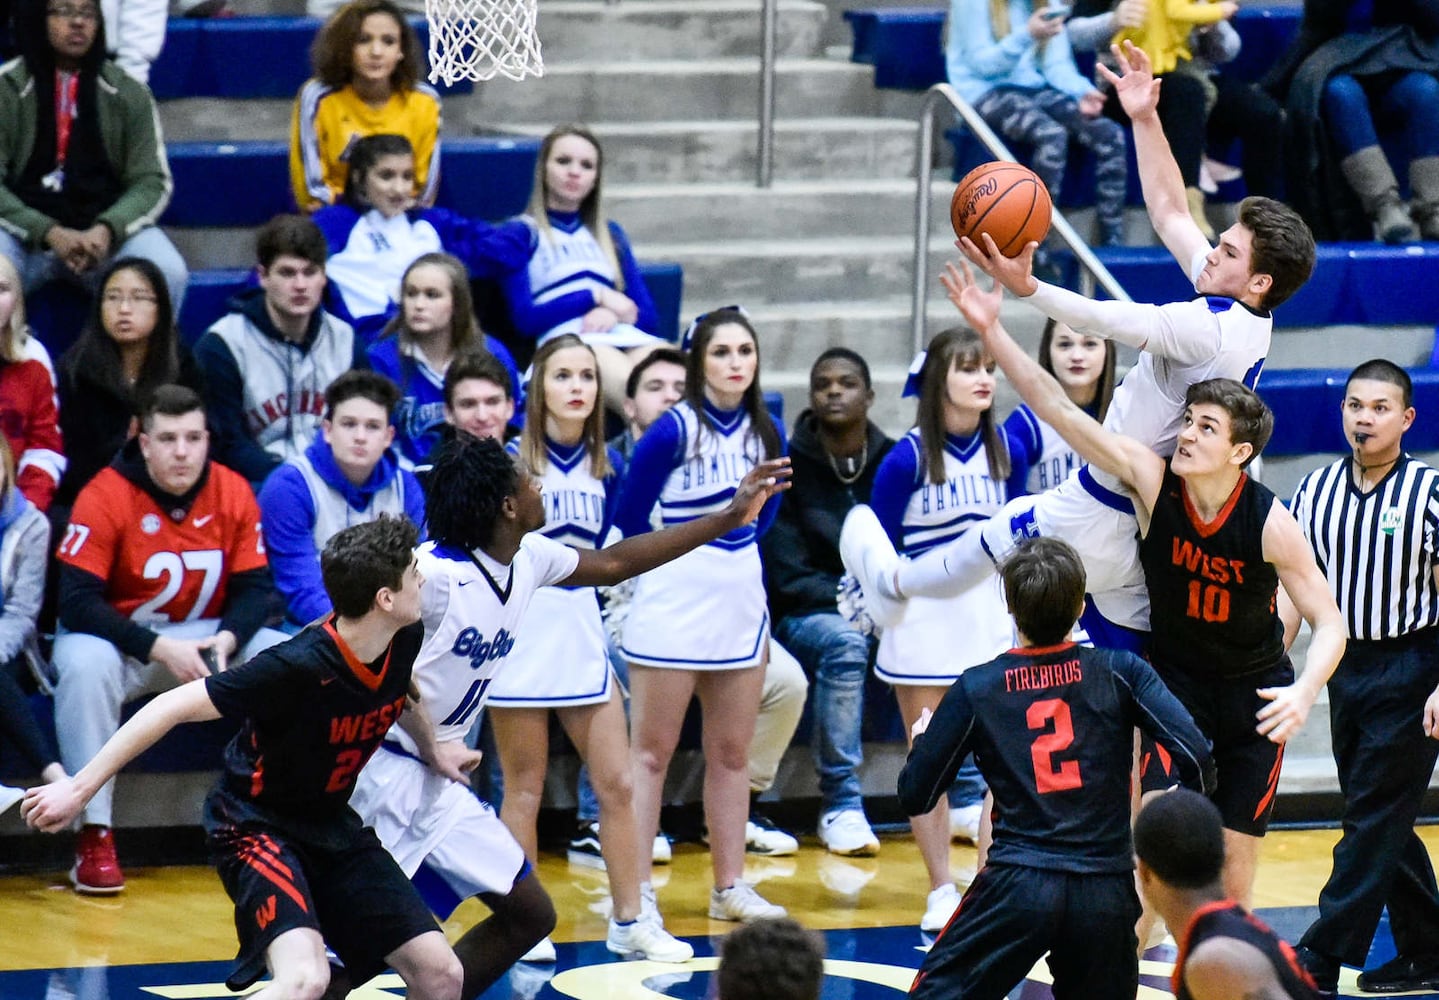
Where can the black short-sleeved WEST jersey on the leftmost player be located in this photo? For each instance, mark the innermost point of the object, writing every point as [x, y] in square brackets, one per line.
[313, 716]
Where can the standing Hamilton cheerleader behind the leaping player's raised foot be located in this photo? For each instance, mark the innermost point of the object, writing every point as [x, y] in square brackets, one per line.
[948, 474]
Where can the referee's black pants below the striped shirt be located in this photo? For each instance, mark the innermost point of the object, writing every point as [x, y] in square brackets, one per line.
[1385, 762]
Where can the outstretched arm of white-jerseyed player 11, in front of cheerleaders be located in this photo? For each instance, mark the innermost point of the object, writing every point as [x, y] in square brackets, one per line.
[628, 559]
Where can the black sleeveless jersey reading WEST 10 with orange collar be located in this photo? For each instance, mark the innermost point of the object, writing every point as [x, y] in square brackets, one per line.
[1212, 594]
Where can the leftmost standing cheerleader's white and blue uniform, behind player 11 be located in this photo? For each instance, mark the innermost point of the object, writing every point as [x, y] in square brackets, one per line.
[566, 663]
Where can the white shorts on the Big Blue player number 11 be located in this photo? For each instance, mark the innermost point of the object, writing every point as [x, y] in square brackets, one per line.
[447, 841]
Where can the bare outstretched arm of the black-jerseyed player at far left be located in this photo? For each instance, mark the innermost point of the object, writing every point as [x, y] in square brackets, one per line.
[54, 806]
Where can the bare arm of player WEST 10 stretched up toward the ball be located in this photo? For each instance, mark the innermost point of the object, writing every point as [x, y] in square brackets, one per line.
[1127, 460]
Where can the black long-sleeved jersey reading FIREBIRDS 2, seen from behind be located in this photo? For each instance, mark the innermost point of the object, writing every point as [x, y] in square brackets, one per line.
[1053, 732]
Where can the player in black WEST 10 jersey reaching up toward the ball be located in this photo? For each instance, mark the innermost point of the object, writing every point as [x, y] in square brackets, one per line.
[1215, 547]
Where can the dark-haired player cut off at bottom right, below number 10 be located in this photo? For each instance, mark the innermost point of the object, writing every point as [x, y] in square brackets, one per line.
[1225, 953]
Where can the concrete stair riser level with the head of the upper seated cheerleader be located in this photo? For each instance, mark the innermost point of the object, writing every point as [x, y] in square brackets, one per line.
[704, 152]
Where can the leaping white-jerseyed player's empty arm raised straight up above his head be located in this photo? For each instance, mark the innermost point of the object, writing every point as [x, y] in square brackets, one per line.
[1159, 173]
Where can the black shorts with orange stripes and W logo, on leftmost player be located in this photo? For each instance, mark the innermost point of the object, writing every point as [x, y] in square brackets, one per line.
[356, 897]
